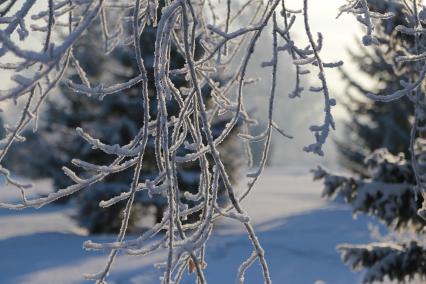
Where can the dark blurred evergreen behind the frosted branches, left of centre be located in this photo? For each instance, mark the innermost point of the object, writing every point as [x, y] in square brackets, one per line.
[115, 119]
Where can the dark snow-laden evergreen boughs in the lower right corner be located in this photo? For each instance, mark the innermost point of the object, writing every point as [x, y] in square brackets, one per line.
[390, 196]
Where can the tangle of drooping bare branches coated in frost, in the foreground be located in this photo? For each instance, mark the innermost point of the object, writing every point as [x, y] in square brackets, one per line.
[228, 44]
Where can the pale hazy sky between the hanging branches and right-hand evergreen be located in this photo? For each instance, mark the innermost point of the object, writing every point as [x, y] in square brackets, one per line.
[297, 115]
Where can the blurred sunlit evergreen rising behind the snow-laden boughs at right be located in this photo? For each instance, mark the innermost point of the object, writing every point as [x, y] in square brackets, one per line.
[374, 124]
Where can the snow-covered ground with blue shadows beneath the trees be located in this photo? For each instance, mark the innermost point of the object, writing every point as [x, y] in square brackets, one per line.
[298, 230]
